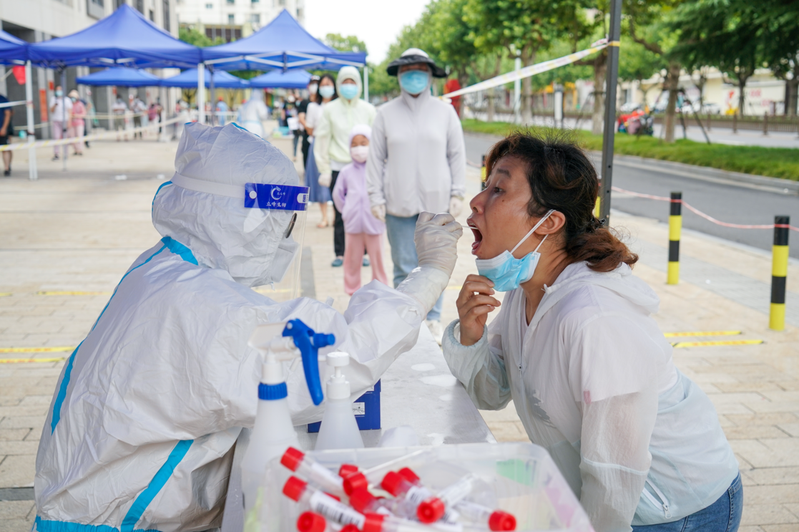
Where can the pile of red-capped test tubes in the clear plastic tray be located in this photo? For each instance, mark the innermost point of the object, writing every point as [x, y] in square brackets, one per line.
[411, 508]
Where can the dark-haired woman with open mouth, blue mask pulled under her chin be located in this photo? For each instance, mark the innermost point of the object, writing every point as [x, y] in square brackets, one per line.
[577, 350]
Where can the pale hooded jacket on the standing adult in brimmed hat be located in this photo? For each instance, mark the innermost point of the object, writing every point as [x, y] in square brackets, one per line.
[417, 156]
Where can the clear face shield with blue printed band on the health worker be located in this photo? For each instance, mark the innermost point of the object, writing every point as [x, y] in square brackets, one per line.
[270, 229]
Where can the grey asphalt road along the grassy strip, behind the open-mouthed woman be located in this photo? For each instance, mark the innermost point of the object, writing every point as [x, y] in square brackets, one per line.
[726, 202]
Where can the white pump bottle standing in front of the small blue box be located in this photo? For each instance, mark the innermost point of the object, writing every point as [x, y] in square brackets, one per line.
[339, 428]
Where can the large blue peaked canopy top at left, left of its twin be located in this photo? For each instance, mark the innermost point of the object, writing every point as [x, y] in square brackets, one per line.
[124, 38]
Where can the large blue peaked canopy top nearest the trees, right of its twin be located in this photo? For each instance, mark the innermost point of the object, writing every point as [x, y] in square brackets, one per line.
[282, 44]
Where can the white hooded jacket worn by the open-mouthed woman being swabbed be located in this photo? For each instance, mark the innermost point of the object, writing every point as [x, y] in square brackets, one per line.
[593, 382]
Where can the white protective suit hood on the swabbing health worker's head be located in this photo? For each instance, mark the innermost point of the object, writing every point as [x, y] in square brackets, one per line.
[219, 230]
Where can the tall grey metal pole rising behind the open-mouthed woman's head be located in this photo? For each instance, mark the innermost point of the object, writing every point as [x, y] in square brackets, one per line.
[610, 112]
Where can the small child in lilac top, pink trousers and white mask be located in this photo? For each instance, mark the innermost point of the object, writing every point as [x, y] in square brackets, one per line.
[362, 230]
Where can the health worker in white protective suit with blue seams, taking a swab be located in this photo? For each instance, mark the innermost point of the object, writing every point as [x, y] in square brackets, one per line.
[142, 427]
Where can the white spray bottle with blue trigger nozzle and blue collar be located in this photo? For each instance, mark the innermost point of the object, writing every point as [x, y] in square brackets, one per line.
[273, 432]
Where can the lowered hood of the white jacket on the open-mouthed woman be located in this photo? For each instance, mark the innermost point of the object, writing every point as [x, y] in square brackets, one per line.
[621, 281]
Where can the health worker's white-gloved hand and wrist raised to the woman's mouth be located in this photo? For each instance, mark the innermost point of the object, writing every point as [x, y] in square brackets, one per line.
[436, 239]
